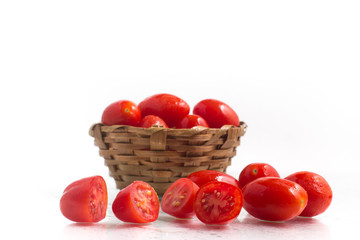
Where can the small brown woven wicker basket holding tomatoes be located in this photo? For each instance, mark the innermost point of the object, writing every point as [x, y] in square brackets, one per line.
[160, 156]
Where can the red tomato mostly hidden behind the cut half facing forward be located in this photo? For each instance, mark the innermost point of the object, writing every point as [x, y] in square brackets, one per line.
[204, 176]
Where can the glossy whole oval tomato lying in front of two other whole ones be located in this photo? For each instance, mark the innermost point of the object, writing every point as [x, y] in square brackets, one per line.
[274, 199]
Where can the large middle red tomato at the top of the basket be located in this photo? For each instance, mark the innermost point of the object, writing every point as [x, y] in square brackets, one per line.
[168, 107]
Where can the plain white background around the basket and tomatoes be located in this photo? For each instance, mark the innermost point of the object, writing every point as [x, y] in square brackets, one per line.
[290, 69]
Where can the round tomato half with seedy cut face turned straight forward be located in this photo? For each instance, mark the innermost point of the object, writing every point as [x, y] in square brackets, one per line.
[218, 203]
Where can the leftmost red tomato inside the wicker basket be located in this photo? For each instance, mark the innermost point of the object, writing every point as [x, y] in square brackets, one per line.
[122, 112]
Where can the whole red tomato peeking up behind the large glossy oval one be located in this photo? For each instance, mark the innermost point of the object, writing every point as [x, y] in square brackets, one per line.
[256, 170]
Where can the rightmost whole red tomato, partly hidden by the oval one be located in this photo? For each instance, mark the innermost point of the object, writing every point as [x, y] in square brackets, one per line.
[318, 190]
